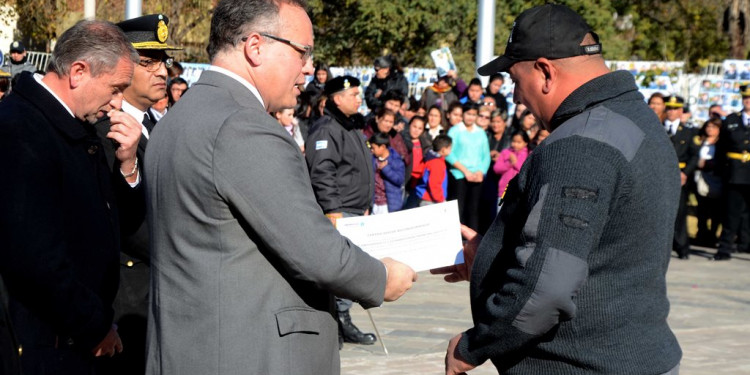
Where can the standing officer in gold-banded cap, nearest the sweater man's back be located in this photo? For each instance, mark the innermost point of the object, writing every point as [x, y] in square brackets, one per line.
[687, 145]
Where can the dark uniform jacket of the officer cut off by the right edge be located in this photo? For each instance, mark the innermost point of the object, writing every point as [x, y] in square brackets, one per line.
[734, 138]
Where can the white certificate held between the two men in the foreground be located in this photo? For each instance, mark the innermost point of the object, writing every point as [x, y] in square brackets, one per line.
[424, 238]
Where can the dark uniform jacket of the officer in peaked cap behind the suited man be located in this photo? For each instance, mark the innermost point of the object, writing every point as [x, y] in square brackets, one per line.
[134, 255]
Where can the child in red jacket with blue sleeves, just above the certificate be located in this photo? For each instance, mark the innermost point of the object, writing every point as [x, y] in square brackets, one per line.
[433, 186]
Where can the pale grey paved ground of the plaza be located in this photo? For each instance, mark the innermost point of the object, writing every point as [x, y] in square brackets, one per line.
[710, 315]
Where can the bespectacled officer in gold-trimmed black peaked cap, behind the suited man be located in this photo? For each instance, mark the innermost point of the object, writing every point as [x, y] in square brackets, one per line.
[148, 35]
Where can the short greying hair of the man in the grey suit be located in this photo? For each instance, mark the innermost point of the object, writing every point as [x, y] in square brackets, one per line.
[234, 19]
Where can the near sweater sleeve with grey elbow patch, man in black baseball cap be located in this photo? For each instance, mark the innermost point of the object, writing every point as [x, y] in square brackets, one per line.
[569, 195]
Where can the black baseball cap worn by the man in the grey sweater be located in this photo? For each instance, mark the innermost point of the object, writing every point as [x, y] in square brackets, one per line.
[552, 31]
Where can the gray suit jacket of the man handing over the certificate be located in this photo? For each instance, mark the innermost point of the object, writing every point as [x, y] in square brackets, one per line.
[244, 263]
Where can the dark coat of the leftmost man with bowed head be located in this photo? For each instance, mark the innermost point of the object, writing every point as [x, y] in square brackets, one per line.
[60, 223]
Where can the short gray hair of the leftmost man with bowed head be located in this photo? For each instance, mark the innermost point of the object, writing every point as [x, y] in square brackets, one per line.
[99, 43]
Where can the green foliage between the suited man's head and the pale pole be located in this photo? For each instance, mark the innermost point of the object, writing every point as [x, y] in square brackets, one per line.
[349, 32]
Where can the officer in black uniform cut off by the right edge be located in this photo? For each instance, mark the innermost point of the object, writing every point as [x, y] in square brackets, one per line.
[733, 160]
